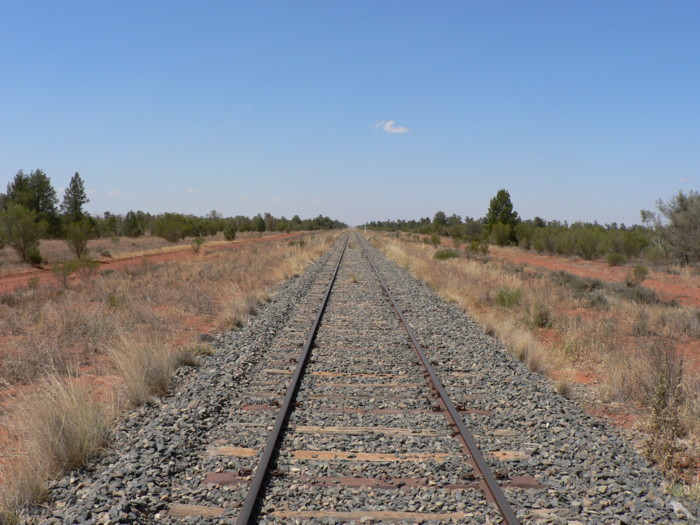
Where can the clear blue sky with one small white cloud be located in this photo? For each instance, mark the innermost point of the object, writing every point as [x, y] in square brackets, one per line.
[360, 110]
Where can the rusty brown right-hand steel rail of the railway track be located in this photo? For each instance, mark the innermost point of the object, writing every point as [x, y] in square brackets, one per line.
[491, 486]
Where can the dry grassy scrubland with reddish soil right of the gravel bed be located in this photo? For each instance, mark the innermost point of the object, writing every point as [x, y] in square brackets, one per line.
[565, 325]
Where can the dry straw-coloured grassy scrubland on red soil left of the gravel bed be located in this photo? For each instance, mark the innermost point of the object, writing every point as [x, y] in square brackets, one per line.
[72, 358]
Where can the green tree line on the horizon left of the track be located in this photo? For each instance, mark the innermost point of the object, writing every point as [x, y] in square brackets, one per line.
[30, 211]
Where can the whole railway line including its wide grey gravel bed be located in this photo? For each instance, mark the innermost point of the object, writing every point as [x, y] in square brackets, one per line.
[367, 437]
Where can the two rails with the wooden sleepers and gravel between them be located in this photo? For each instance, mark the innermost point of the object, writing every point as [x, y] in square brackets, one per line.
[362, 409]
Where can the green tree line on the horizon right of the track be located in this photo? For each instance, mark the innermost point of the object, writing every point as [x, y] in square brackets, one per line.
[672, 234]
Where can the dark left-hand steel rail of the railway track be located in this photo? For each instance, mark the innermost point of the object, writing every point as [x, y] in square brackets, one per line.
[269, 452]
